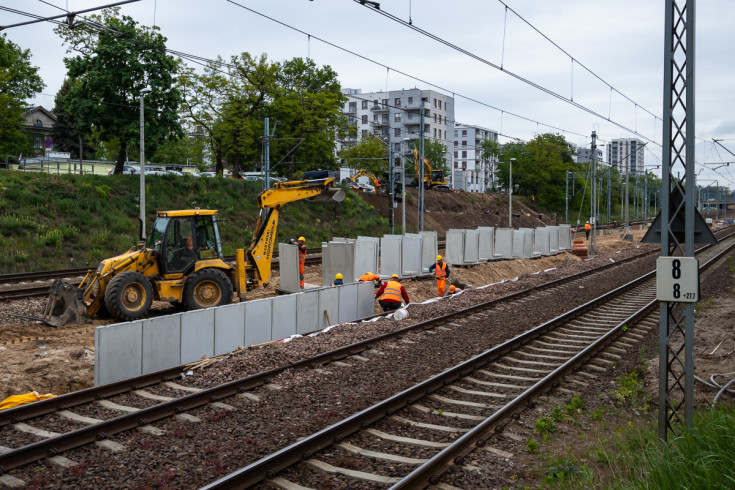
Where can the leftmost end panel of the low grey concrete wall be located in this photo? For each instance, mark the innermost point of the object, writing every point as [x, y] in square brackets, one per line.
[118, 352]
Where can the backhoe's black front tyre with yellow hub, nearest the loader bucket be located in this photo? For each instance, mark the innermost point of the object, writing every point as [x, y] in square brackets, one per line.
[129, 296]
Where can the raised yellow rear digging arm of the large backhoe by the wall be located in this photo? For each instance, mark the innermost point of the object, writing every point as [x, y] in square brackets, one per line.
[260, 253]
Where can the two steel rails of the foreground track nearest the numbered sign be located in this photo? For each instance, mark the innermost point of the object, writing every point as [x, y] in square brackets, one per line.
[269, 466]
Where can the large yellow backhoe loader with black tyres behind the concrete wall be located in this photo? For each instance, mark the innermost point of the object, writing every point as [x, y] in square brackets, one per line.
[182, 262]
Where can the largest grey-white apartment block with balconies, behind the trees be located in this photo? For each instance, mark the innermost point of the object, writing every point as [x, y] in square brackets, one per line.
[395, 116]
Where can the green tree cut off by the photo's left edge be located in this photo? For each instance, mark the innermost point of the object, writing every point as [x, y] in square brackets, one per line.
[19, 80]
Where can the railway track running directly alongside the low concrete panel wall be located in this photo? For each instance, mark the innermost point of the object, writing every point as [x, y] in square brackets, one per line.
[178, 400]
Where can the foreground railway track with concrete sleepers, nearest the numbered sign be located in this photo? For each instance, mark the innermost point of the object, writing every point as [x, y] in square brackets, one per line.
[458, 411]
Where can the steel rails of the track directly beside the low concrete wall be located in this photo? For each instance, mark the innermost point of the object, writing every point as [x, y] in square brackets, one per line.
[63, 442]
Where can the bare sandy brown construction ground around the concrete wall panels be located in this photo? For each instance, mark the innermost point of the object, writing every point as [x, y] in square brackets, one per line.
[45, 359]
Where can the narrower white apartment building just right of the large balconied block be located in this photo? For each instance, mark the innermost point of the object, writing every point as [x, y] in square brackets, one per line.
[470, 170]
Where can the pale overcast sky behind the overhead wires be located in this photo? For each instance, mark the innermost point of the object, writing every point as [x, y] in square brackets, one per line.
[621, 41]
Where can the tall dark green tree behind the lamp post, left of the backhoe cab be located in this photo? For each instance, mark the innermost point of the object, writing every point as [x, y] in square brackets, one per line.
[118, 58]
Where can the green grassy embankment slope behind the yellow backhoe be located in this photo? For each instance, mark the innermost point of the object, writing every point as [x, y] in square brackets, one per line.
[61, 221]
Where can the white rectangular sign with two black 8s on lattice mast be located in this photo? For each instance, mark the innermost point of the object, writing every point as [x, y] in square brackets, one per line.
[677, 279]
